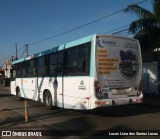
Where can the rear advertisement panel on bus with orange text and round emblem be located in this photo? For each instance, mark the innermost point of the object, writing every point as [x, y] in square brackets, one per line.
[117, 61]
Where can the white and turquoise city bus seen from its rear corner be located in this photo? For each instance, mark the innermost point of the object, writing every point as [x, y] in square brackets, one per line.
[95, 71]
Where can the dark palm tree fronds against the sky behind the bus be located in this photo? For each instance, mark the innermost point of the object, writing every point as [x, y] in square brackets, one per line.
[148, 23]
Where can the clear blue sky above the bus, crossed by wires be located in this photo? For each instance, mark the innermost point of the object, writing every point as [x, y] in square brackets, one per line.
[28, 21]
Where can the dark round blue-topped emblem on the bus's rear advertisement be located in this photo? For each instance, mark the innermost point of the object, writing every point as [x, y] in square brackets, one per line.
[129, 64]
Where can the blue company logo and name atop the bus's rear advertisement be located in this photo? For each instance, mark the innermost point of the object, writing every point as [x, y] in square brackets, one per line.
[103, 43]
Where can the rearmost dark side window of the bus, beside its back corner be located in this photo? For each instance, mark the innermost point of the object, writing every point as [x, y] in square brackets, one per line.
[77, 60]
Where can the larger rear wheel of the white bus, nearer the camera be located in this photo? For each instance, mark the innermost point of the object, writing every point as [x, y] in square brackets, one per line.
[47, 99]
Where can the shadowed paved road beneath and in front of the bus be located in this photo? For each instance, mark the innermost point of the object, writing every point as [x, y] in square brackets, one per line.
[95, 122]
